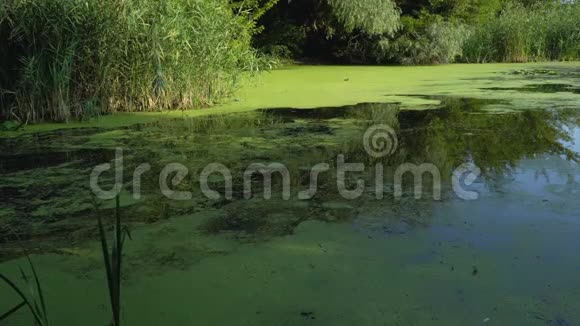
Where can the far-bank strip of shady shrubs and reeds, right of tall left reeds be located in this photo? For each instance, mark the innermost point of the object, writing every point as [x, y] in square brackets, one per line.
[428, 31]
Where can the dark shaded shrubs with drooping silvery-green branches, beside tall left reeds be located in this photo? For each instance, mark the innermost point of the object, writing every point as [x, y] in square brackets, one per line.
[327, 28]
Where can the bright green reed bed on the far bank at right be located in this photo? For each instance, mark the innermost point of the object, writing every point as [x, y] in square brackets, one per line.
[545, 31]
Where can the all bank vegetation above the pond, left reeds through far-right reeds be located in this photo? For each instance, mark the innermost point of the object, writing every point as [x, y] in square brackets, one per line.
[61, 60]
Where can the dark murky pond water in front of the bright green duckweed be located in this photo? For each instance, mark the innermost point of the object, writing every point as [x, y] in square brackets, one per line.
[381, 256]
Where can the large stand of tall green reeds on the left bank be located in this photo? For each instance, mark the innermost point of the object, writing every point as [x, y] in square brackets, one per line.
[78, 58]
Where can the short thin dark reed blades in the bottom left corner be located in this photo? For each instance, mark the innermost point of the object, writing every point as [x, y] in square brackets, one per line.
[34, 300]
